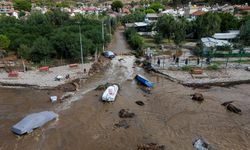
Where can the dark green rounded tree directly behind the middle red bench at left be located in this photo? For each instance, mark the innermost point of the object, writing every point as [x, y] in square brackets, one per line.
[41, 50]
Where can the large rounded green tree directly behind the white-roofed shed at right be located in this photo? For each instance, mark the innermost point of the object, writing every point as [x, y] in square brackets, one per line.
[207, 25]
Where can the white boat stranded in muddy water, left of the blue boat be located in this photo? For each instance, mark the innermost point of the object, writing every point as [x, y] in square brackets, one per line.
[110, 93]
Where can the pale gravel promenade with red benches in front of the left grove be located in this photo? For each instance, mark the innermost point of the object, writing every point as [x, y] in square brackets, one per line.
[41, 80]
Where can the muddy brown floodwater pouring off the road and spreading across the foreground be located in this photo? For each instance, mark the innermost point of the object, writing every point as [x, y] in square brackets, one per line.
[169, 116]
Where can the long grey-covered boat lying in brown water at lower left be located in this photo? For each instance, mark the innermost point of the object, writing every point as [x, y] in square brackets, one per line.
[32, 121]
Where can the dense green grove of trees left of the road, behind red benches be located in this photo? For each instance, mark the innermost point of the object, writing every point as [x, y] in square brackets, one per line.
[53, 35]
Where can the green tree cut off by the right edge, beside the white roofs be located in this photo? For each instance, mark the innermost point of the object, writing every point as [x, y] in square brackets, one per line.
[245, 33]
